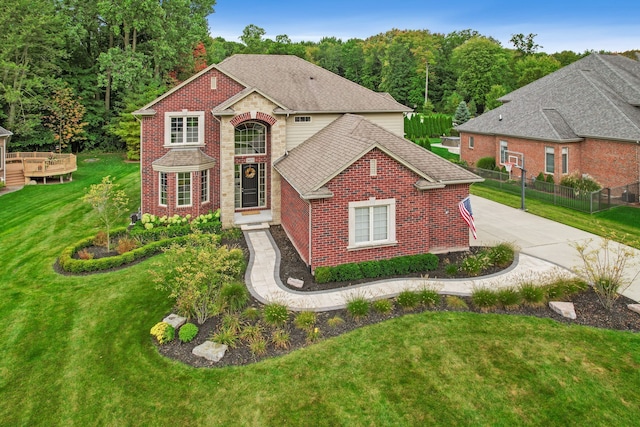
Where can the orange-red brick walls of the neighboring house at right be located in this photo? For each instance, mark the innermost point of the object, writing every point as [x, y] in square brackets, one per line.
[611, 163]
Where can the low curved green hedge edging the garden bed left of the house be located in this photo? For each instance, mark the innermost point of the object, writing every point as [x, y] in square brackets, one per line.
[72, 265]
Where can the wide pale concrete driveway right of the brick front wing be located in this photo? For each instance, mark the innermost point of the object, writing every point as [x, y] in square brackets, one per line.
[540, 237]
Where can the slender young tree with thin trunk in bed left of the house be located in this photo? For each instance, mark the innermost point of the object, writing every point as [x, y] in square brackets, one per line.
[108, 201]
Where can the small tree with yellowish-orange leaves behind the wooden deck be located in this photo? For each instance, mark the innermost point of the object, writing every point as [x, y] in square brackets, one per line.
[65, 118]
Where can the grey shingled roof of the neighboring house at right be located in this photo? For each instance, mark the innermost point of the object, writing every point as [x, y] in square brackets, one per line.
[595, 97]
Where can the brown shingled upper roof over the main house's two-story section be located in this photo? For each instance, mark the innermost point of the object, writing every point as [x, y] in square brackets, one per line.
[295, 85]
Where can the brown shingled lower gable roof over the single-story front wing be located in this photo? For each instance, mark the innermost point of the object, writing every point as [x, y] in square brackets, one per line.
[312, 164]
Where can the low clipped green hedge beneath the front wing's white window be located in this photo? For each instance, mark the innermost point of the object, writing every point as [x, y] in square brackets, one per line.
[374, 269]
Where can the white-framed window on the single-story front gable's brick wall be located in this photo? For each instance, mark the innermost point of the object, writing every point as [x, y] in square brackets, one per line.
[372, 223]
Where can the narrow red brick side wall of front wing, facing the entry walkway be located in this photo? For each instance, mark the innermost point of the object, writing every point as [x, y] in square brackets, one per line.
[295, 219]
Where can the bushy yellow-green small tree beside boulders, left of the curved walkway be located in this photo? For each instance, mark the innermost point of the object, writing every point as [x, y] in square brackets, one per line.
[194, 273]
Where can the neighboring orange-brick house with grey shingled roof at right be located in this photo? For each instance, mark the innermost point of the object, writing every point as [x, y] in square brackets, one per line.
[583, 118]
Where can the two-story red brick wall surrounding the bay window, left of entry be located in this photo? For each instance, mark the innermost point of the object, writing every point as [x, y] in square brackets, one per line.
[195, 96]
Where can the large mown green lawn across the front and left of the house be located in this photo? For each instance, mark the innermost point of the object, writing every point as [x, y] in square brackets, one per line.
[76, 350]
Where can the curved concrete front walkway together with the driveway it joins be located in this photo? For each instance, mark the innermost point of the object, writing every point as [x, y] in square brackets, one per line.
[545, 250]
